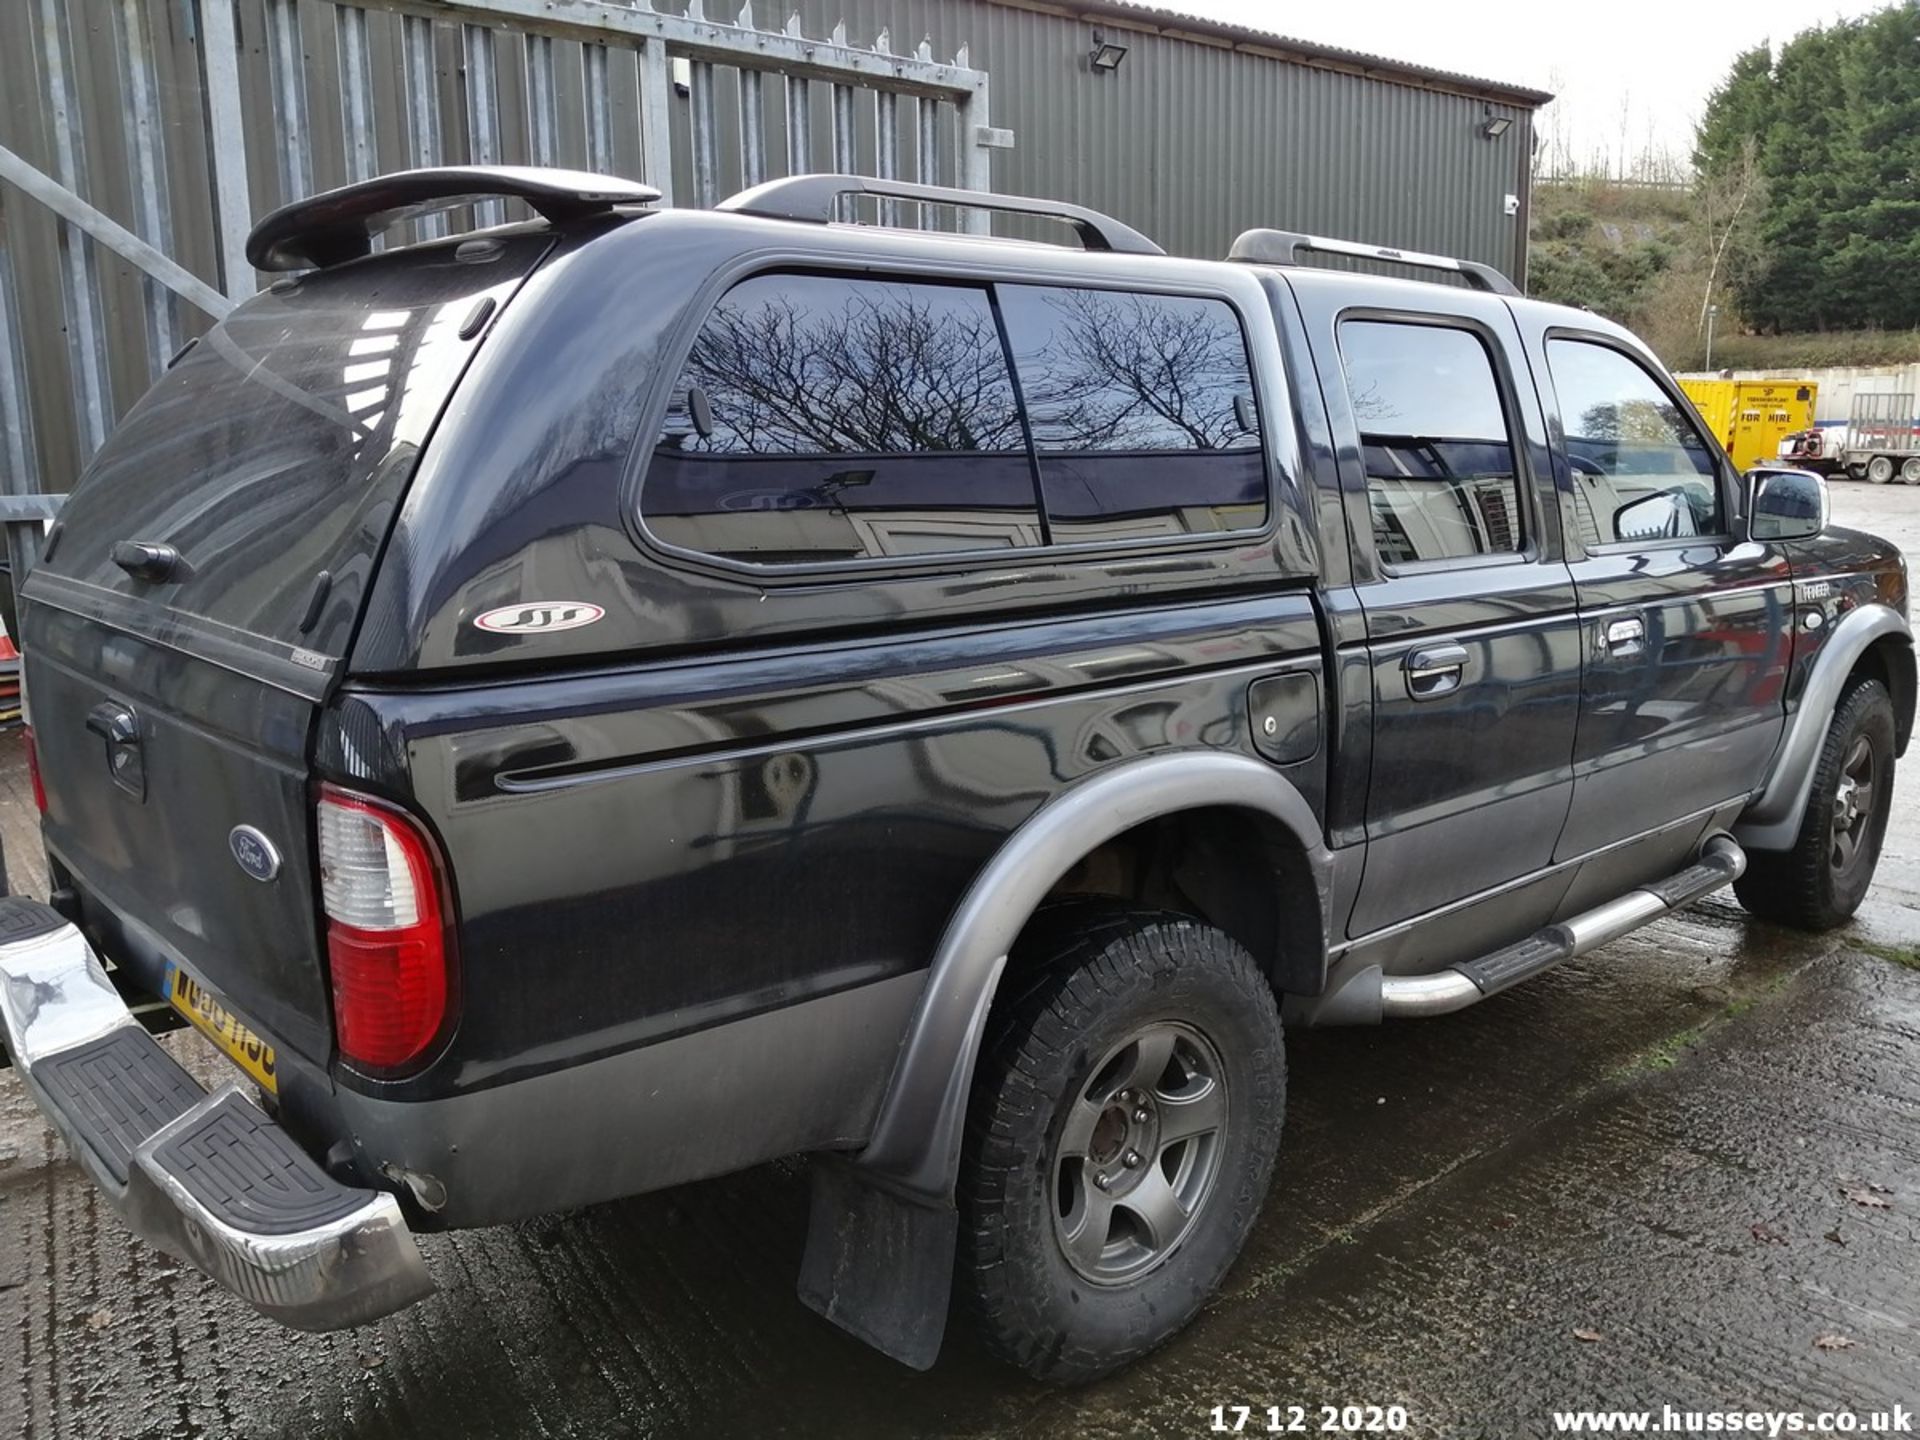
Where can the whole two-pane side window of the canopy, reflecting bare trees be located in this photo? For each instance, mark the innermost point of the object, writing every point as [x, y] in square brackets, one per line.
[827, 420]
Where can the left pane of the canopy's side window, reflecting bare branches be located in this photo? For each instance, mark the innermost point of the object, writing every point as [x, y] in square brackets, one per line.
[825, 420]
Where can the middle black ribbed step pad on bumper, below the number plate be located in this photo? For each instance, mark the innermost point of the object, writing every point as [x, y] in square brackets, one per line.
[118, 1092]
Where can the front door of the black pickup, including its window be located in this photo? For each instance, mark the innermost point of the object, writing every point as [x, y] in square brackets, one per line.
[1687, 627]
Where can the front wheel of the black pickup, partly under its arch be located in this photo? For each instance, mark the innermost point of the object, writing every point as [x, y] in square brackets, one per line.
[1821, 882]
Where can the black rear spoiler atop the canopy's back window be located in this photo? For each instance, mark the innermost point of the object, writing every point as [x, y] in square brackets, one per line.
[339, 226]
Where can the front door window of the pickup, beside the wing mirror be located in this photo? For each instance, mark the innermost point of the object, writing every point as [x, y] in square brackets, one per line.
[1641, 469]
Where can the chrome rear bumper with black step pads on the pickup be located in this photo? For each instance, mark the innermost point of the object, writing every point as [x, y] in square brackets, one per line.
[206, 1178]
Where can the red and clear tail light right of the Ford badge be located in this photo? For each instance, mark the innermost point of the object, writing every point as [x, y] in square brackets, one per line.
[387, 930]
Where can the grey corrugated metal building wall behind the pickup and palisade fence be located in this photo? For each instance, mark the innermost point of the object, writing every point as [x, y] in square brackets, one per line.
[1189, 143]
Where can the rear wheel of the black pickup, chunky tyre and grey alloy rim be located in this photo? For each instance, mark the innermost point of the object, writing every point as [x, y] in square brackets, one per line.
[1120, 1140]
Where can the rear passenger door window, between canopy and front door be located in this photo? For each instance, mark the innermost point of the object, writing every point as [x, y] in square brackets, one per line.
[1441, 479]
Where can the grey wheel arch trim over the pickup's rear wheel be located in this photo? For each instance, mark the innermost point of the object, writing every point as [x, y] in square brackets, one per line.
[917, 1138]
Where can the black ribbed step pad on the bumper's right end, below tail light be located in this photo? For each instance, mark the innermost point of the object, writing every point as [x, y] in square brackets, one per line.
[249, 1174]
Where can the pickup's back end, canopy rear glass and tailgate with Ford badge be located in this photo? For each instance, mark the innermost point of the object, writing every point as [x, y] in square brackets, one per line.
[199, 596]
